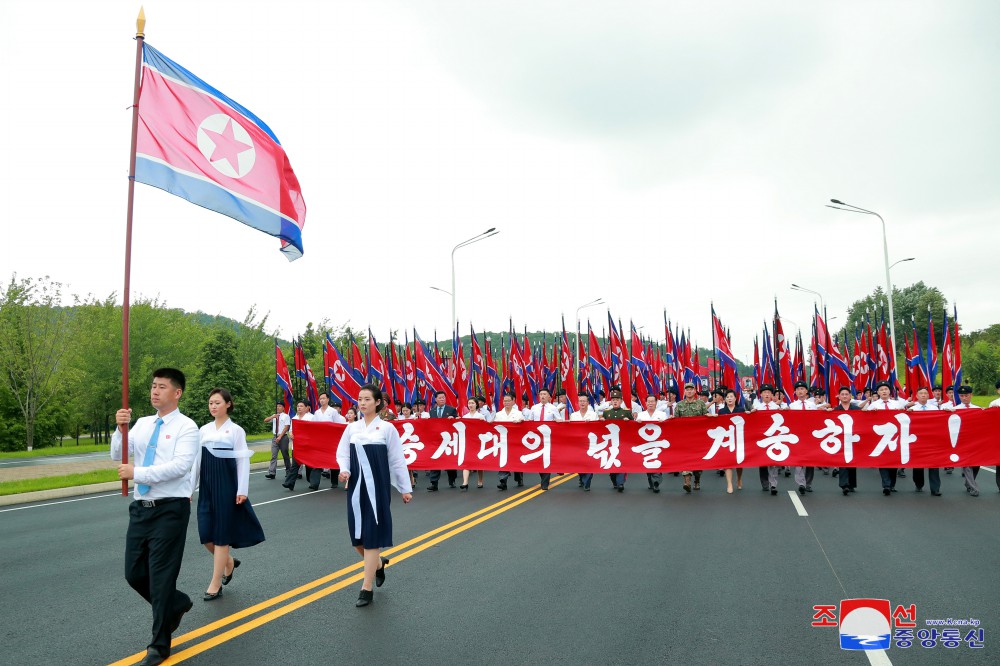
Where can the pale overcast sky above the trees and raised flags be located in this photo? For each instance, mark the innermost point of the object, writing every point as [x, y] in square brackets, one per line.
[656, 154]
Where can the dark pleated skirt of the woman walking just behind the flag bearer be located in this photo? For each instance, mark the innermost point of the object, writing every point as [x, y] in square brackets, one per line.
[220, 520]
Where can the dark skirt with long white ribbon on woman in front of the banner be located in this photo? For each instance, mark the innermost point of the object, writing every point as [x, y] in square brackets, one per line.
[376, 522]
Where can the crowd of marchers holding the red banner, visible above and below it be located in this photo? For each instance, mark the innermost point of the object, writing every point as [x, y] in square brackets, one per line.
[667, 405]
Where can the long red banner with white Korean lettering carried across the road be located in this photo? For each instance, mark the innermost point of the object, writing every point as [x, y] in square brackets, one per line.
[822, 439]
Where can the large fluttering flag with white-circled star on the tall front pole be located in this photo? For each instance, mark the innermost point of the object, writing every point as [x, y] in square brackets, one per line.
[196, 143]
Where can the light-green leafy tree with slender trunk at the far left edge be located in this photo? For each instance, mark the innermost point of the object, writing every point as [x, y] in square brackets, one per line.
[33, 348]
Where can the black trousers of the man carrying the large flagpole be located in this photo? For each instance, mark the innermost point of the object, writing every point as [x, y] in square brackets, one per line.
[154, 548]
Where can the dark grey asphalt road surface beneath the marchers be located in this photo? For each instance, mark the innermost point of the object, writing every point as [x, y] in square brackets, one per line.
[561, 577]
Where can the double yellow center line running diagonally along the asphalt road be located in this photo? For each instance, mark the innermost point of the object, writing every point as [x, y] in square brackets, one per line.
[469, 521]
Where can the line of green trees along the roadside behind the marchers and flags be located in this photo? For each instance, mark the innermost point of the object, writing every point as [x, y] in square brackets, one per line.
[60, 363]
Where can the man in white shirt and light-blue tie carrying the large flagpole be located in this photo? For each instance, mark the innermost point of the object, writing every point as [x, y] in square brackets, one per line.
[163, 448]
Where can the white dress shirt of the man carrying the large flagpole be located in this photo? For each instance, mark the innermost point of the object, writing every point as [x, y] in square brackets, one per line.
[176, 450]
